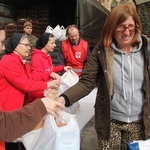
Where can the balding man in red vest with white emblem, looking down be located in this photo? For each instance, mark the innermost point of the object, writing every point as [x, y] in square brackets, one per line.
[74, 51]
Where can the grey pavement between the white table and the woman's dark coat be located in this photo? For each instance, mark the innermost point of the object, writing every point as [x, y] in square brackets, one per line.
[89, 137]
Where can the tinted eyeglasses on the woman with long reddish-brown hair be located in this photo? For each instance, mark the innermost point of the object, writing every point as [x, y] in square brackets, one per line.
[123, 28]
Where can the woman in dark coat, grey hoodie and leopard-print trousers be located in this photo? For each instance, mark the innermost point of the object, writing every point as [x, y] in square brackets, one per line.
[119, 67]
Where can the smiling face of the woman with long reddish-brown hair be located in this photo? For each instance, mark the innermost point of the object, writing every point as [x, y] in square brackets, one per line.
[124, 33]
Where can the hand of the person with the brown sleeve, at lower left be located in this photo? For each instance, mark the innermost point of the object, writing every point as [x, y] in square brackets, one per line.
[52, 106]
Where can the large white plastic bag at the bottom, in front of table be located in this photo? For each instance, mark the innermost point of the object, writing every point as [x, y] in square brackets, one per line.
[52, 137]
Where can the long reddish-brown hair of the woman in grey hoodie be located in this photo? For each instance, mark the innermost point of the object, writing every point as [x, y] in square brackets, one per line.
[118, 15]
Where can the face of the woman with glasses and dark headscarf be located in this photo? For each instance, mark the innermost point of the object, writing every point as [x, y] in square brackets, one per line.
[23, 48]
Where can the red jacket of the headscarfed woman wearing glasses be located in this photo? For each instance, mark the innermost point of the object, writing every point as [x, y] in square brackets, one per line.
[15, 82]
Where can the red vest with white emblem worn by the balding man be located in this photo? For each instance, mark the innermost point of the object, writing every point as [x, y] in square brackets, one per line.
[75, 56]
